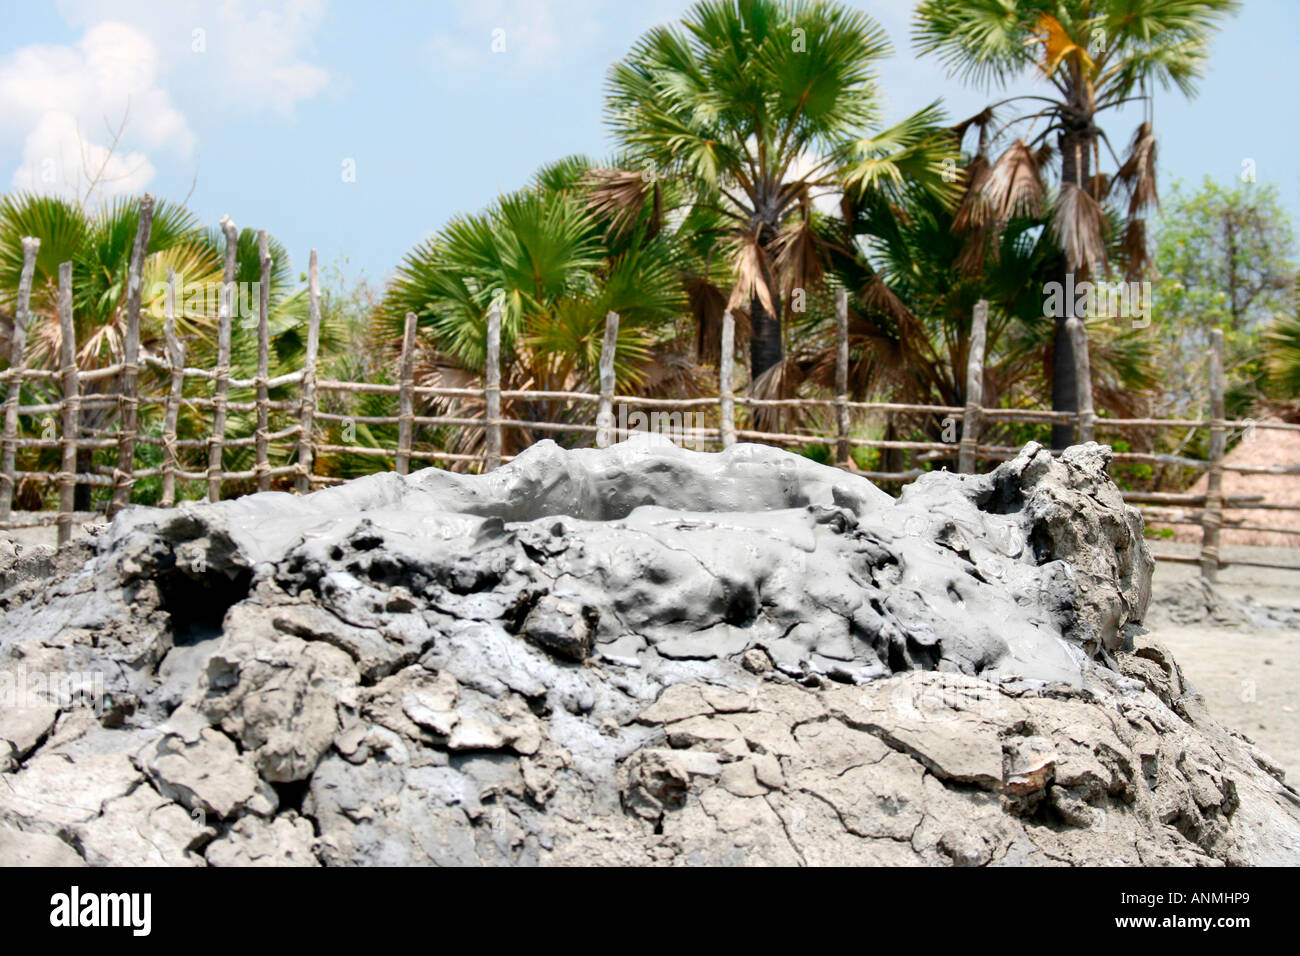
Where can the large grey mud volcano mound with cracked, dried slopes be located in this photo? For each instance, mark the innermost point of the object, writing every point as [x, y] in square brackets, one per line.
[630, 656]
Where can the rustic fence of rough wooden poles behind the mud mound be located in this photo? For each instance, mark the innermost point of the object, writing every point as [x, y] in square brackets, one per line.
[307, 417]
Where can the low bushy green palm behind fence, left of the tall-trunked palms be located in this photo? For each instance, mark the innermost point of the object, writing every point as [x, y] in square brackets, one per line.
[554, 269]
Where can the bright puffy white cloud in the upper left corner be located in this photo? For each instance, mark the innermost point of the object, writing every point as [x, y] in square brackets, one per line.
[68, 105]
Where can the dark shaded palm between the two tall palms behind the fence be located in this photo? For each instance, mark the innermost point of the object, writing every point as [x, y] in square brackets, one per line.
[917, 302]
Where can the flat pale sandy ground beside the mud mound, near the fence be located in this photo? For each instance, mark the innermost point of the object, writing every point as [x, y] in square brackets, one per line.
[1249, 676]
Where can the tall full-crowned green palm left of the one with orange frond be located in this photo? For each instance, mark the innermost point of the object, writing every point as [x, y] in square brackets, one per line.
[756, 106]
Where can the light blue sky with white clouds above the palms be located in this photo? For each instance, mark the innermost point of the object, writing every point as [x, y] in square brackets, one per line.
[263, 109]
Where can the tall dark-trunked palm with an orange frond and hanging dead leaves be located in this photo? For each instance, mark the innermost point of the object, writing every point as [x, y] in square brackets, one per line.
[1094, 57]
